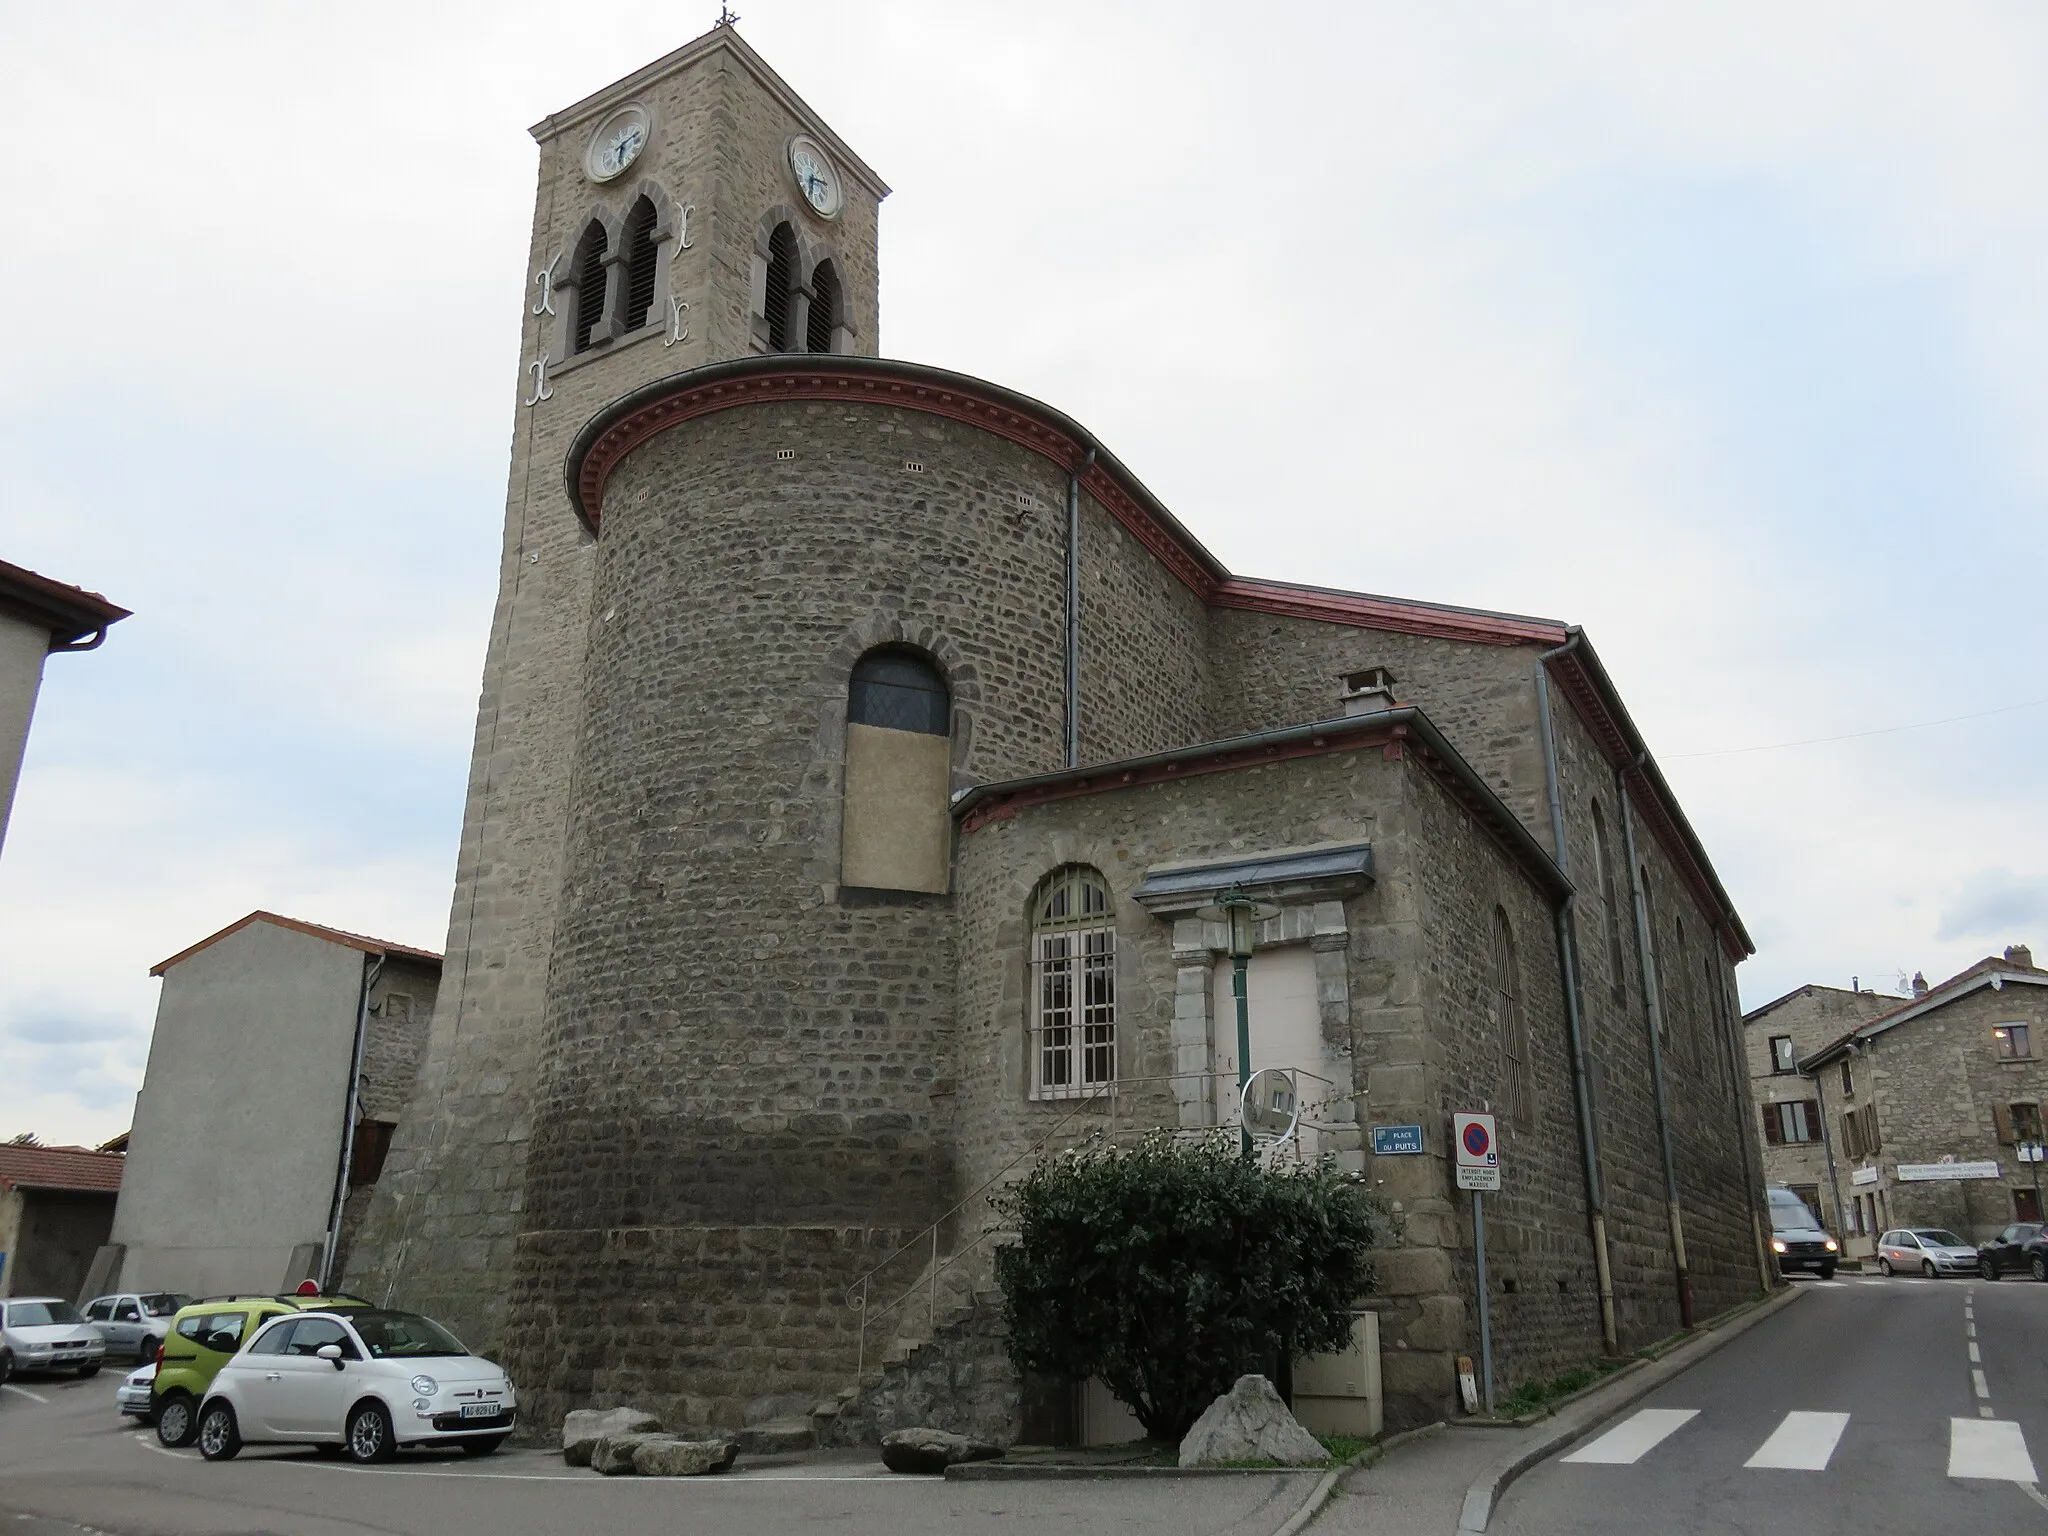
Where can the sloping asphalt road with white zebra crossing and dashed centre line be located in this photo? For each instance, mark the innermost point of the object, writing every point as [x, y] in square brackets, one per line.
[1873, 1406]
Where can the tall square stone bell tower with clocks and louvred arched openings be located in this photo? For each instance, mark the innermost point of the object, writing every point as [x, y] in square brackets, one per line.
[695, 212]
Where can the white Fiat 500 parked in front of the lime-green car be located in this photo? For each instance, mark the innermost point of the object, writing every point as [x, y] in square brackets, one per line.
[355, 1383]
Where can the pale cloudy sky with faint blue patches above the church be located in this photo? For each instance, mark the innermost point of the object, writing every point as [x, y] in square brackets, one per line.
[1713, 329]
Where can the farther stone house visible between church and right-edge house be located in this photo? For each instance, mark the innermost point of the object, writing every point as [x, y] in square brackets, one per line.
[1779, 1037]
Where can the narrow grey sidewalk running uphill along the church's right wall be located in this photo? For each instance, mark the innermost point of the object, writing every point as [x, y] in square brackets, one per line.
[1445, 1482]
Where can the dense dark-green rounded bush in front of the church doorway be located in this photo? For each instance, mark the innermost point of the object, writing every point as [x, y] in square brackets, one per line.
[1170, 1269]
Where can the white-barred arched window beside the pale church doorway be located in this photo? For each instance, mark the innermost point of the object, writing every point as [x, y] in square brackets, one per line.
[1074, 984]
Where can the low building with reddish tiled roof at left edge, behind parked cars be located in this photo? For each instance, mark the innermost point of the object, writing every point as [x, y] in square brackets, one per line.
[56, 1207]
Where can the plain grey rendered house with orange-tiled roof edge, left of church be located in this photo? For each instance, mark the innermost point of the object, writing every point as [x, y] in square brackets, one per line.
[280, 1062]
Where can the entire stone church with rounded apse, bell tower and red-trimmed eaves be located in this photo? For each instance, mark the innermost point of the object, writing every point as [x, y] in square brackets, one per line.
[859, 751]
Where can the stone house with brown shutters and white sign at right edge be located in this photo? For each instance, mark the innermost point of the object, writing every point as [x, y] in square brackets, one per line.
[1926, 1107]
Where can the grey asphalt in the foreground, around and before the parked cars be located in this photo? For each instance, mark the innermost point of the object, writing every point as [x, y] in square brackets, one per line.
[73, 1465]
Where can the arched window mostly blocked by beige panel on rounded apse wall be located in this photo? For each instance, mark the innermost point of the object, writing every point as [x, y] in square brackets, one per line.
[896, 822]
